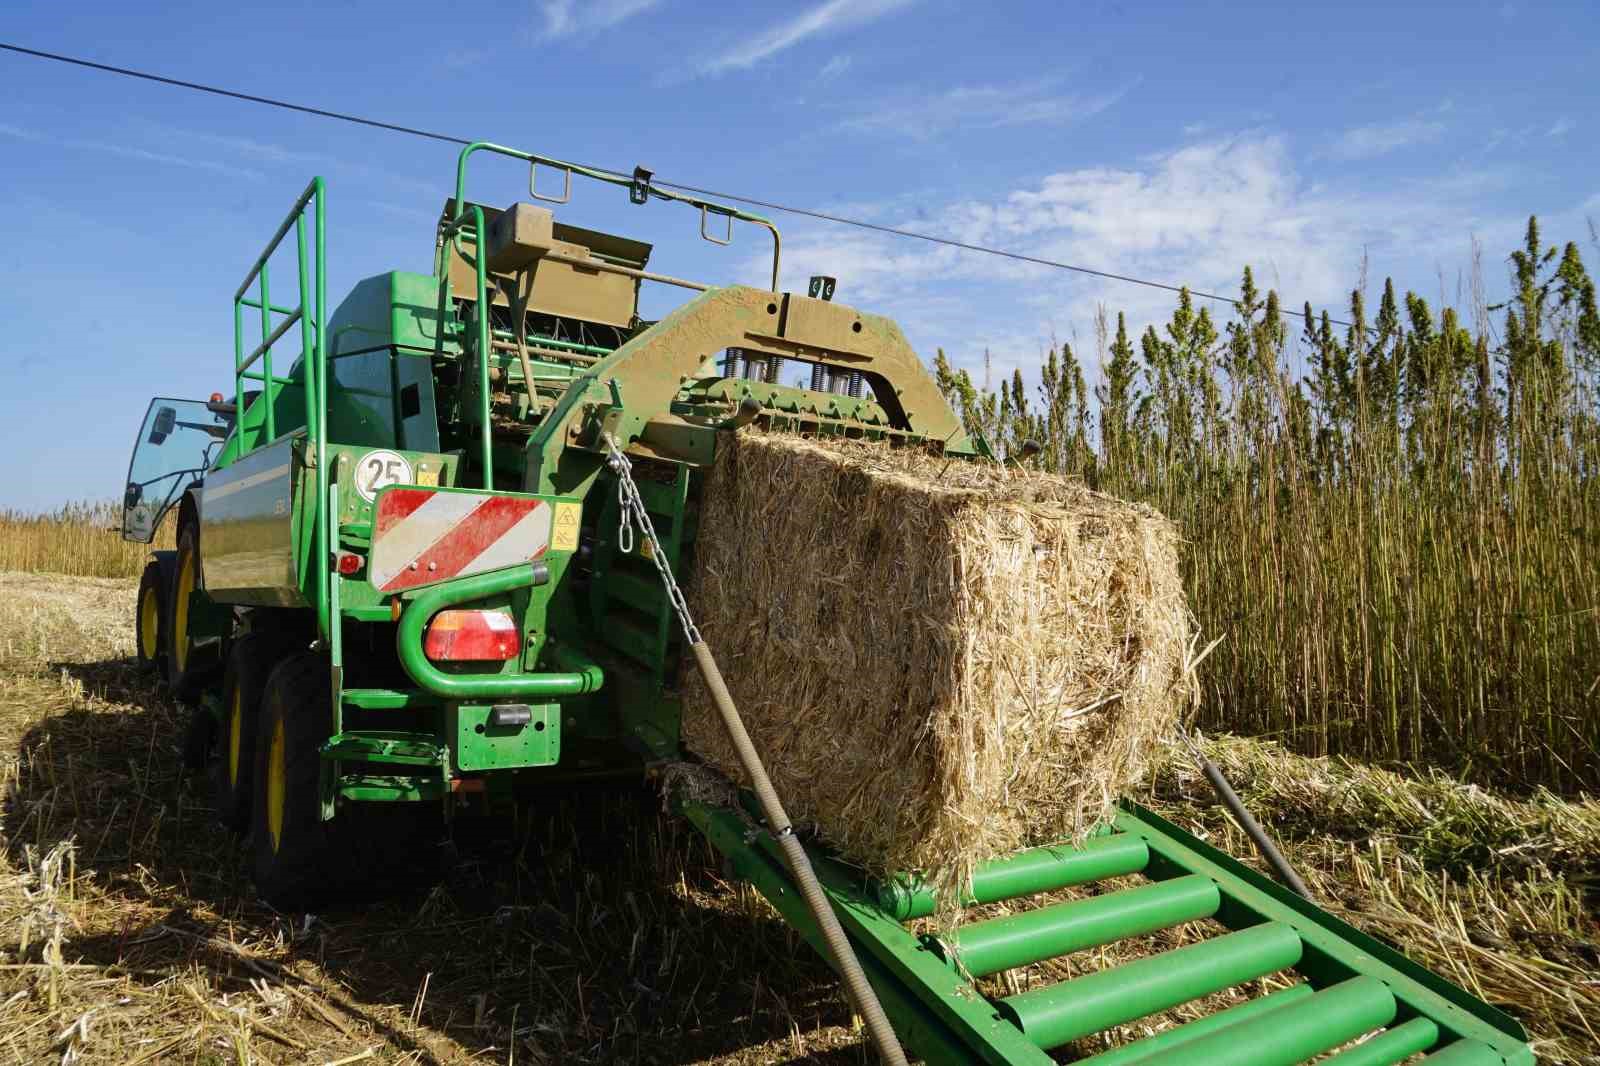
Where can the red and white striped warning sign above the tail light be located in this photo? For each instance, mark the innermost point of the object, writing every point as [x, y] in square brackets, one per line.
[425, 535]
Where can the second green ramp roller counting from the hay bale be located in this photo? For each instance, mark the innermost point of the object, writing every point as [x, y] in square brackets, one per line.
[1042, 934]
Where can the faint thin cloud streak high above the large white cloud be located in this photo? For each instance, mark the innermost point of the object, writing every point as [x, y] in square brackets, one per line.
[983, 106]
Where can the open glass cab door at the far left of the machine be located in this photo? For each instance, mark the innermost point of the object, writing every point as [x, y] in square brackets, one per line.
[175, 446]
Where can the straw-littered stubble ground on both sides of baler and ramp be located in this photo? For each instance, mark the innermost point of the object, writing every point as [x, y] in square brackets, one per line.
[598, 929]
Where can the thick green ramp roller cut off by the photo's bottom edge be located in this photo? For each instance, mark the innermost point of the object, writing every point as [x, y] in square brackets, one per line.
[1337, 1014]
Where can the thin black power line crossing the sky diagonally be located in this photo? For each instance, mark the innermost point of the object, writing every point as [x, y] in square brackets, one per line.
[769, 206]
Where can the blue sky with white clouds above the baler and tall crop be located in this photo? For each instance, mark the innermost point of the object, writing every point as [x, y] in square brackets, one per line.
[1177, 142]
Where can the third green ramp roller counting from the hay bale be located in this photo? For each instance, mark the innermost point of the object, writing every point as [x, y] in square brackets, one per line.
[1063, 1012]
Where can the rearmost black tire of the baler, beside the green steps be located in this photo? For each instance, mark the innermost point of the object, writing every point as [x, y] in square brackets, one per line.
[302, 860]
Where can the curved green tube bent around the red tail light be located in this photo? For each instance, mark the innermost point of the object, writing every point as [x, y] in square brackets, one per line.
[580, 676]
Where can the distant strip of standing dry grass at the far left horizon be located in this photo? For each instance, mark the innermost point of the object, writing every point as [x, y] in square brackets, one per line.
[81, 540]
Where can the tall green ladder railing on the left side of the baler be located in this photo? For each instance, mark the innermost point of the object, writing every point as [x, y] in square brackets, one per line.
[311, 315]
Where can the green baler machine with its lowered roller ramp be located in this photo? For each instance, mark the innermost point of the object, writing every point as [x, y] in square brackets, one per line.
[431, 563]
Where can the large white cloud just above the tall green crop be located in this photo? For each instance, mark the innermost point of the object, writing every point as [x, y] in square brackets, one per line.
[1196, 215]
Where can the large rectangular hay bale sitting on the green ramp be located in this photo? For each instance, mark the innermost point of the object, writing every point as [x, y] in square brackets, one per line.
[940, 662]
